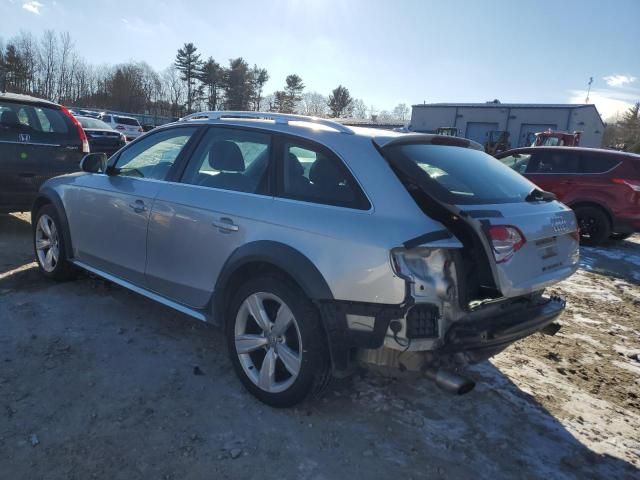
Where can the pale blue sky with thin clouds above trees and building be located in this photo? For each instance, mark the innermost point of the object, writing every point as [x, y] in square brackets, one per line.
[385, 52]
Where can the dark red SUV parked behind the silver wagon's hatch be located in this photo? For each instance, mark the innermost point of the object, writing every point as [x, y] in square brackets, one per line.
[602, 186]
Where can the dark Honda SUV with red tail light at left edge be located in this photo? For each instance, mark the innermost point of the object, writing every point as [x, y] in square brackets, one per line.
[38, 140]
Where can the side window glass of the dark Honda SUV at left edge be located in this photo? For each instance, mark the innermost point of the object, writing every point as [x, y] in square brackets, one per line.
[24, 118]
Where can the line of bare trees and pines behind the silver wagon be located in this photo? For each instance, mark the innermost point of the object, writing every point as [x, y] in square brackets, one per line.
[50, 67]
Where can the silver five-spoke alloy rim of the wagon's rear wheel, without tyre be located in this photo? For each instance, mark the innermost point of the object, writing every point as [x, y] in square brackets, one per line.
[268, 342]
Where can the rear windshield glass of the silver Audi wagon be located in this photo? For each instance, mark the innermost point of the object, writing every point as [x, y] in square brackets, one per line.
[463, 175]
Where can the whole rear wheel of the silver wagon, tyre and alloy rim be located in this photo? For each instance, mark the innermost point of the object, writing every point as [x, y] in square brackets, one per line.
[276, 342]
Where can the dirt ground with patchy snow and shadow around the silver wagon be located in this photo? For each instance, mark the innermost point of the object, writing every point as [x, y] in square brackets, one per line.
[98, 382]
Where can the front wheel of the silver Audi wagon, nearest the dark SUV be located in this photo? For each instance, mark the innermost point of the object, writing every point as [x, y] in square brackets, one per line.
[49, 245]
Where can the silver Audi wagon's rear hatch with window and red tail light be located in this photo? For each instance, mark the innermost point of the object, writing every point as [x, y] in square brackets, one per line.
[528, 238]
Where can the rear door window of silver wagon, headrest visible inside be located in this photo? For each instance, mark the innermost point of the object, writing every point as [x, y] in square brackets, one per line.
[230, 159]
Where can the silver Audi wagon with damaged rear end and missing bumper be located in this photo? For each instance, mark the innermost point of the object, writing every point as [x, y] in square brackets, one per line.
[317, 246]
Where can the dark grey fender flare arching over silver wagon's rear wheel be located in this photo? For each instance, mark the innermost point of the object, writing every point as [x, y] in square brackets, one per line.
[286, 258]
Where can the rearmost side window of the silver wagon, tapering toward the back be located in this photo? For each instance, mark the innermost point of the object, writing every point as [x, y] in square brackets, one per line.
[314, 174]
